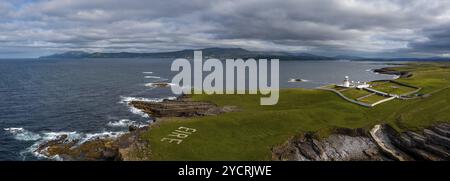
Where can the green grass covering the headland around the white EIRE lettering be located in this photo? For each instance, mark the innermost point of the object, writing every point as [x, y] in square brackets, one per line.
[250, 133]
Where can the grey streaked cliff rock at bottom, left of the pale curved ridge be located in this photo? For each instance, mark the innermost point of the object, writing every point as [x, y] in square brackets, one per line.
[342, 146]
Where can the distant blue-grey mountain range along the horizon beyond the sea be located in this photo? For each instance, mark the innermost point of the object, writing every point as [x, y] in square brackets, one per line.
[223, 53]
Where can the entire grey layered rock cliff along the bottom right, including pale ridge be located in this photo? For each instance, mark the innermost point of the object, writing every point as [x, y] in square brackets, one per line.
[382, 143]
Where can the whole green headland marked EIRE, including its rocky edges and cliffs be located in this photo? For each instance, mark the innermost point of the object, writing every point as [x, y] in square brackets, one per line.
[306, 124]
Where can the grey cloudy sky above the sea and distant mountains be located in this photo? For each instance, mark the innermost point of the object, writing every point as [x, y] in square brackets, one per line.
[380, 28]
